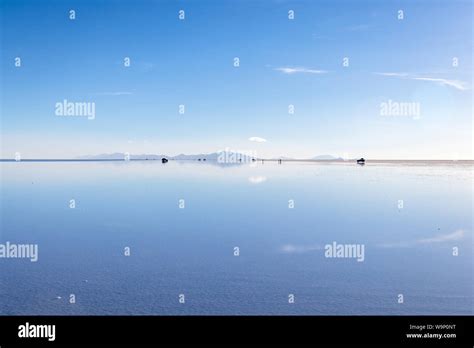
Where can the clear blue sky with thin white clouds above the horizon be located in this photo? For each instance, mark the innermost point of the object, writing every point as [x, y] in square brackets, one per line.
[282, 62]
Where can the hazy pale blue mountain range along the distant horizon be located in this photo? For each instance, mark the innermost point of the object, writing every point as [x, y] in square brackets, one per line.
[209, 156]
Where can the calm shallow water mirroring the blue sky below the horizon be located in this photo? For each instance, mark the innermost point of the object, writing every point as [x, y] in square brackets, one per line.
[183, 220]
